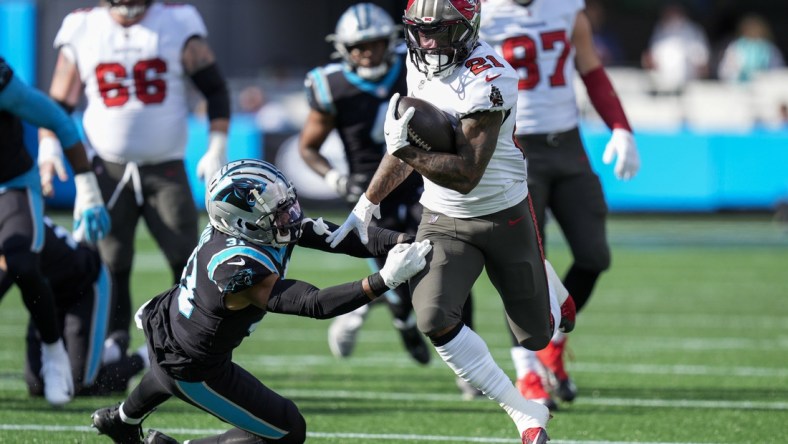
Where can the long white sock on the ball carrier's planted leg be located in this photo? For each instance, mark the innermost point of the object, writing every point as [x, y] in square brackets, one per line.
[469, 357]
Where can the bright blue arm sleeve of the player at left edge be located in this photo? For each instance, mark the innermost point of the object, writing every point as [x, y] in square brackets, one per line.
[33, 106]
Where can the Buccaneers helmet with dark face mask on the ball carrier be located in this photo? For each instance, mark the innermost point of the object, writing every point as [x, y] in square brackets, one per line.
[441, 34]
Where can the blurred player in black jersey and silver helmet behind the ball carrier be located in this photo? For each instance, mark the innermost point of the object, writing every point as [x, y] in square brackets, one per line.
[352, 97]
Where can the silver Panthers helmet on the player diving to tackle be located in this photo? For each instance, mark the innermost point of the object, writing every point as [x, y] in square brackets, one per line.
[253, 200]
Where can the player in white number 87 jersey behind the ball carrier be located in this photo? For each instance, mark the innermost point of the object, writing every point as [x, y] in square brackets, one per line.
[548, 42]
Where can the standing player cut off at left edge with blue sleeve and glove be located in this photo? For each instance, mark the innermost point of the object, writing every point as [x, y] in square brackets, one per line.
[22, 215]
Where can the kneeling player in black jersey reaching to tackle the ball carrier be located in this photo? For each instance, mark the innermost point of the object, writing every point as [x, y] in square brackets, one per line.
[236, 275]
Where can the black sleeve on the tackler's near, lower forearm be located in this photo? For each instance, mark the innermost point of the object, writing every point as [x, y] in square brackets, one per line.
[304, 299]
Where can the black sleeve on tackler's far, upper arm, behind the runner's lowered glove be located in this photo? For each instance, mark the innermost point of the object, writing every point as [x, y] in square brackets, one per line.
[381, 240]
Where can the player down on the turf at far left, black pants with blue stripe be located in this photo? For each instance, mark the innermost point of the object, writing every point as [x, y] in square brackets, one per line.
[82, 288]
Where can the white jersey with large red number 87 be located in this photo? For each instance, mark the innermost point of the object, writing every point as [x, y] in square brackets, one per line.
[536, 41]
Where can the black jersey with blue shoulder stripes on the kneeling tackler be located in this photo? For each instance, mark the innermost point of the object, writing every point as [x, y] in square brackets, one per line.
[191, 330]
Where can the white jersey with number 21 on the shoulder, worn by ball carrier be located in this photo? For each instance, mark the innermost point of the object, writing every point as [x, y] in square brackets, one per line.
[483, 82]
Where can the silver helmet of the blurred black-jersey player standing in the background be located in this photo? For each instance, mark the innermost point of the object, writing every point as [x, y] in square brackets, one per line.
[365, 22]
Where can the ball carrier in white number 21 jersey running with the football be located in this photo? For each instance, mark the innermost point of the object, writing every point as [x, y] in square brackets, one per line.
[476, 209]
